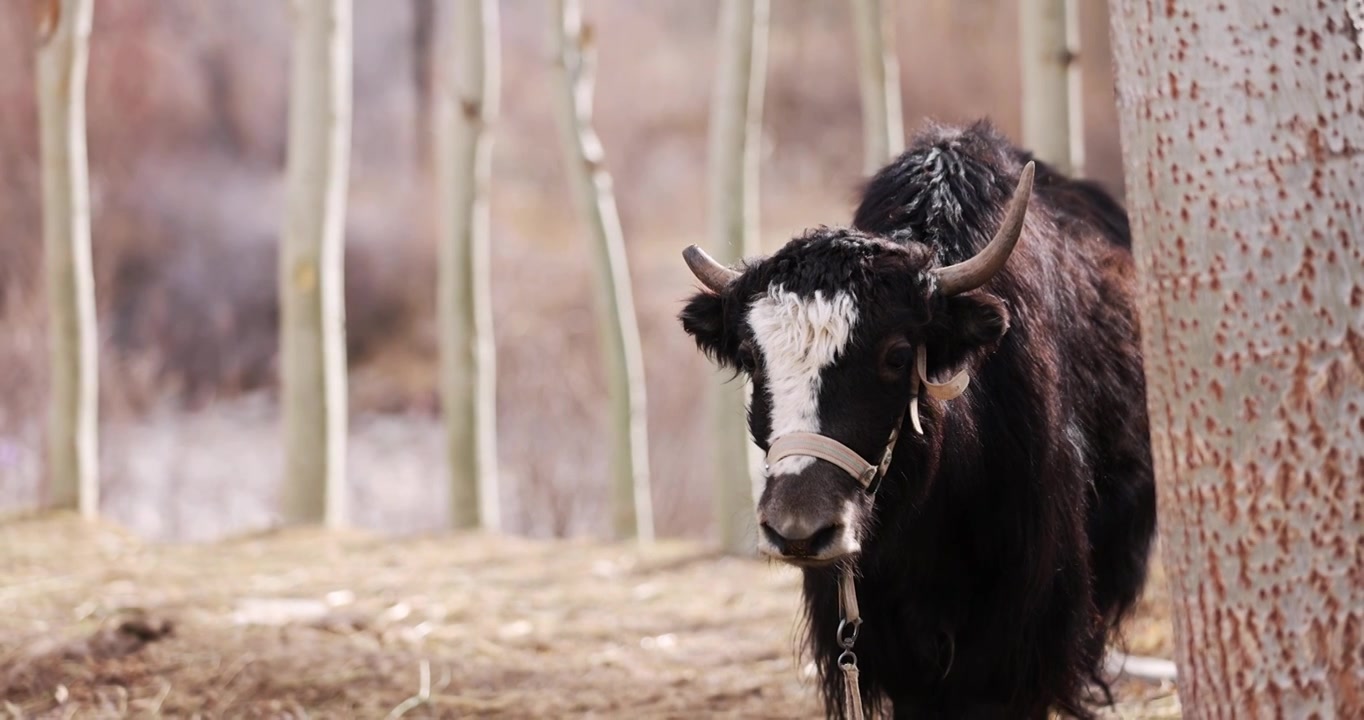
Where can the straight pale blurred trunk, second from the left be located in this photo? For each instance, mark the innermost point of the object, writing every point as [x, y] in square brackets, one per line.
[312, 280]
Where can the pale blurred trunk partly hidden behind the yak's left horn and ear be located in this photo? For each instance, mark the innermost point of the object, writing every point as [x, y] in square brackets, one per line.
[735, 160]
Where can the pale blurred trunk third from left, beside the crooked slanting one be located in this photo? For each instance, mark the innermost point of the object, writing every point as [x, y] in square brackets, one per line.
[469, 361]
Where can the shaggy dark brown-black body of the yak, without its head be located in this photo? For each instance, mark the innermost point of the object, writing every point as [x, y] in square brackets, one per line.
[998, 592]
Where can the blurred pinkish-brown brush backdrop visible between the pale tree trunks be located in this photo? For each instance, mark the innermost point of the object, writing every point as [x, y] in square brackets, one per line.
[188, 125]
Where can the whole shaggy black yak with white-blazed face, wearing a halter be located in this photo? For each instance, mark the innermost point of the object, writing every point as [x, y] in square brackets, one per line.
[1000, 543]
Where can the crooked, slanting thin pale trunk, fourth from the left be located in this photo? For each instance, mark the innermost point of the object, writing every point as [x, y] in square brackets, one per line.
[572, 58]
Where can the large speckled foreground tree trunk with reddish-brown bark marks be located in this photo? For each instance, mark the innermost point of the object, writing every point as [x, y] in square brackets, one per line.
[1243, 132]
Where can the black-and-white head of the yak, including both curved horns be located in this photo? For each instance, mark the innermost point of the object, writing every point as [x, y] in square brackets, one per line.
[829, 332]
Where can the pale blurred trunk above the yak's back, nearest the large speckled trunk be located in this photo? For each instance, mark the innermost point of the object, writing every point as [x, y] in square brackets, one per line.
[1054, 100]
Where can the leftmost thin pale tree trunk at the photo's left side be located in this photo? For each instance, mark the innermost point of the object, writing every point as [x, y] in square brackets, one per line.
[63, 29]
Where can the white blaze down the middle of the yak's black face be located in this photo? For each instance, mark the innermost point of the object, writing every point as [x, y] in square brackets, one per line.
[799, 339]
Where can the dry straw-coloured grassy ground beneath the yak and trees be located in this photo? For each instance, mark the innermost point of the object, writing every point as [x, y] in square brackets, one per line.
[308, 624]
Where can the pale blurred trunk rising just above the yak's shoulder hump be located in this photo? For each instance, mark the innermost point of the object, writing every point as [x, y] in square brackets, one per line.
[879, 78]
